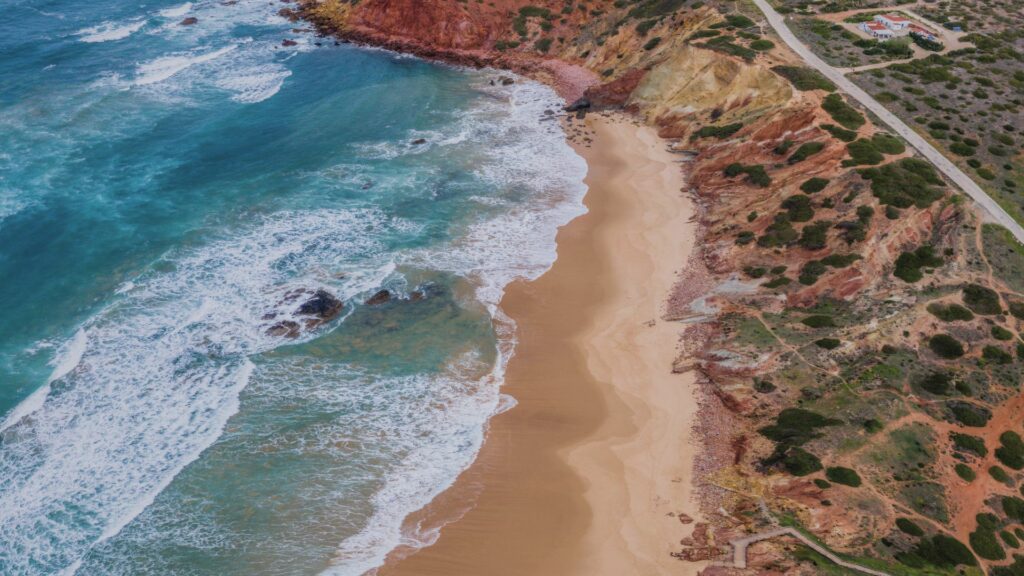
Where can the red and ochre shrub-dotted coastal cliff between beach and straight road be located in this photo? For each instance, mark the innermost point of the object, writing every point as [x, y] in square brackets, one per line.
[855, 325]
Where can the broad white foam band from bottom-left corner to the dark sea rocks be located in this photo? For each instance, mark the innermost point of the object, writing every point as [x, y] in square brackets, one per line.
[151, 381]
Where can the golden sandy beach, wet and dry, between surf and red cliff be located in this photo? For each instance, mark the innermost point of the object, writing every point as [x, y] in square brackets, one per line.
[590, 472]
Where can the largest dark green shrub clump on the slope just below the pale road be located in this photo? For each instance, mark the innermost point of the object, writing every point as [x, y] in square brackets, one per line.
[907, 183]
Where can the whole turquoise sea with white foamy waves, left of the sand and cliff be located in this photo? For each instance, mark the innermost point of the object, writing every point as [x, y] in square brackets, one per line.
[163, 190]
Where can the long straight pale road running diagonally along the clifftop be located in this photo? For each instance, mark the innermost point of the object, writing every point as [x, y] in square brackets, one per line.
[957, 176]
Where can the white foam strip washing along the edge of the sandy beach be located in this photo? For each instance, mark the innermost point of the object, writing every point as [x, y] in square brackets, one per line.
[522, 152]
